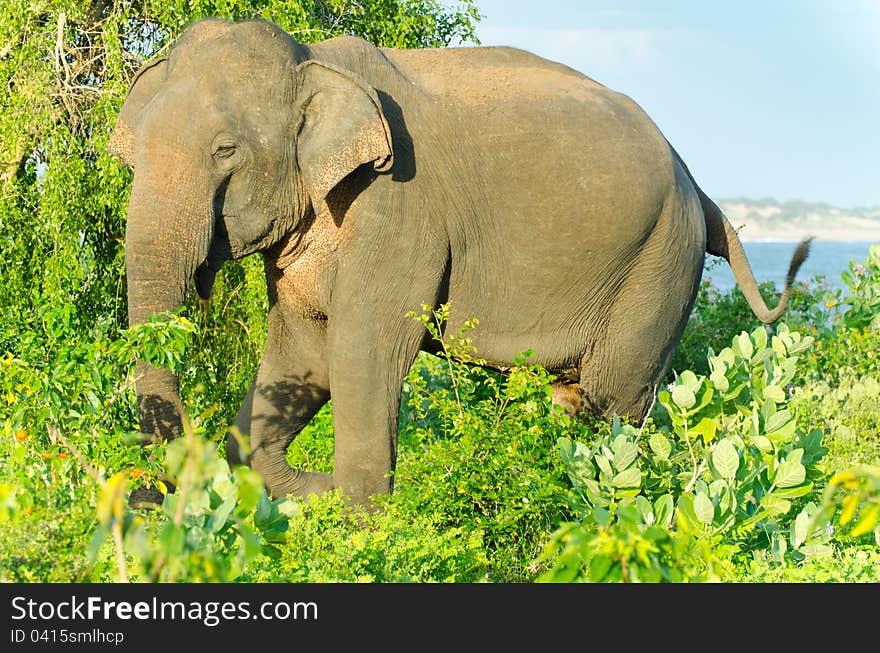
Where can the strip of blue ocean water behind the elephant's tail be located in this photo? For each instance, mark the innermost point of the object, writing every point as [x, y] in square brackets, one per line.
[769, 261]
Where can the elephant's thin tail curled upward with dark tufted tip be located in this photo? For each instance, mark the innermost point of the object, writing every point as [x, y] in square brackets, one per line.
[722, 240]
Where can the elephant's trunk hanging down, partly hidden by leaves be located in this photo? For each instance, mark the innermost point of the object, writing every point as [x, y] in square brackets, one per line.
[166, 238]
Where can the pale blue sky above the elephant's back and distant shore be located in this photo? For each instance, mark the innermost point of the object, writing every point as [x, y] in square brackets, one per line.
[779, 98]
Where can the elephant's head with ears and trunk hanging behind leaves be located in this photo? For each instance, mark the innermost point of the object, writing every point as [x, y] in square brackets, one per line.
[235, 137]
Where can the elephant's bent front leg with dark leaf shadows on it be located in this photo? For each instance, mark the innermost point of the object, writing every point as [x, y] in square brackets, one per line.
[290, 388]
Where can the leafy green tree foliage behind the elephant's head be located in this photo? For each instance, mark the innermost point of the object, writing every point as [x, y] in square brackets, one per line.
[65, 66]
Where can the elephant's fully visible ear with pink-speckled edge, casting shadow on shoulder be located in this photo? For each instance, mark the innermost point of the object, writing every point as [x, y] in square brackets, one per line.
[342, 127]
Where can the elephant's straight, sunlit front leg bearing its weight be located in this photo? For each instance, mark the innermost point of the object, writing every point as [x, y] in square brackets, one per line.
[371, 346]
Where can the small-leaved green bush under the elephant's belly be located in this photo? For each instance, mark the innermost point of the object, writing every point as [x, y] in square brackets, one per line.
[477, 450]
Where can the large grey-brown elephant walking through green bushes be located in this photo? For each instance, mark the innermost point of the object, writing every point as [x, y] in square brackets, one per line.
[375, 180]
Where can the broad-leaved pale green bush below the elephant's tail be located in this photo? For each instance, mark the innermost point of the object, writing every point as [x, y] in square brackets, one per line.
[723, 473]
